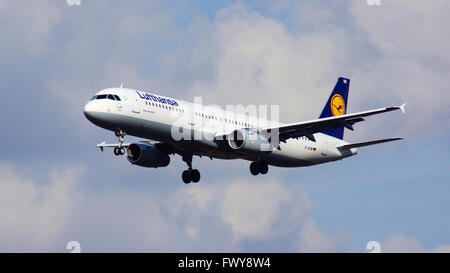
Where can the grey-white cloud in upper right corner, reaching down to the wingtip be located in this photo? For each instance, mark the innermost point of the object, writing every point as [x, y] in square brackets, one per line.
[408, 40]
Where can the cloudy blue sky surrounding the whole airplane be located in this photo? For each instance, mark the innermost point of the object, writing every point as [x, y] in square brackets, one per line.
[55, 186]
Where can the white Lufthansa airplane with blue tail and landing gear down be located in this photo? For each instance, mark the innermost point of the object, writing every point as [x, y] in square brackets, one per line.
[175, 127]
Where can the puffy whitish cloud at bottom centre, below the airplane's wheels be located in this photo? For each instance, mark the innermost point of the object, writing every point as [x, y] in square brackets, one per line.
[256, 211]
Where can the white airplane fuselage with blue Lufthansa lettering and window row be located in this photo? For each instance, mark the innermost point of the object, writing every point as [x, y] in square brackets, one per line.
[192, 127]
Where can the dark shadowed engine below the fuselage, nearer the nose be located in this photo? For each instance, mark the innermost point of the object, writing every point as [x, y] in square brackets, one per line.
[146, 155]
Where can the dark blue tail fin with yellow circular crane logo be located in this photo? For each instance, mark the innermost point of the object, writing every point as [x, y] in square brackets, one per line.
[337, 105]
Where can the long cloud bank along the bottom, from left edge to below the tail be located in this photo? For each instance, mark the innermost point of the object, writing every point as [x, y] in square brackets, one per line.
[44, 215]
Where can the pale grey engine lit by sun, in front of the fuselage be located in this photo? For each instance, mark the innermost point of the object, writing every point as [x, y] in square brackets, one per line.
[248, 141]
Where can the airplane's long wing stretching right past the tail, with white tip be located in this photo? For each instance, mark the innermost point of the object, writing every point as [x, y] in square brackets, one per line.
[308, 128]
